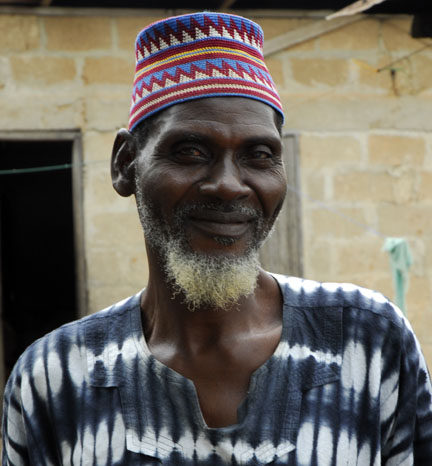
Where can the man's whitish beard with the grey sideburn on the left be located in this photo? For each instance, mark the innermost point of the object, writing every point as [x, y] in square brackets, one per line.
[204, 280]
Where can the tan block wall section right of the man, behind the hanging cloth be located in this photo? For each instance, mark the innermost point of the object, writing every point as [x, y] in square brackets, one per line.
[365, 151]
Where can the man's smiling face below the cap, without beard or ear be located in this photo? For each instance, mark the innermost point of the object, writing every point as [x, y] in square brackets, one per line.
[211, 173]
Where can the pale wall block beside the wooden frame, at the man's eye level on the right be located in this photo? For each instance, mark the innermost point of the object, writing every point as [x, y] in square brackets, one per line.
[329, 151]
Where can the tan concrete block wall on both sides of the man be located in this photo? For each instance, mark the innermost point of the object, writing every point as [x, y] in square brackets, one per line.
[365, 140]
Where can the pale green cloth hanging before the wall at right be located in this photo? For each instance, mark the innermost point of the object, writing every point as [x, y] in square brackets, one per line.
[400, 262]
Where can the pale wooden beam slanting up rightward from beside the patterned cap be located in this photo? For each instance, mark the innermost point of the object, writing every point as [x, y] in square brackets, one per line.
[297, 36]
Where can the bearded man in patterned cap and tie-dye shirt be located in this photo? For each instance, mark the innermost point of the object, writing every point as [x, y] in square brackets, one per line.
[217, 362]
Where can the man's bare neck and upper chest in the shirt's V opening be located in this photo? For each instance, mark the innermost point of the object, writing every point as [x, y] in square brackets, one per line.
[218, 350]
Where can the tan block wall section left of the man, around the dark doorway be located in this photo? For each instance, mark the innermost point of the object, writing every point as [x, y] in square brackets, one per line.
[76, 72]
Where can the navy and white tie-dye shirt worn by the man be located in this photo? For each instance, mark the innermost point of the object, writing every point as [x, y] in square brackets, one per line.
[347, 385]
